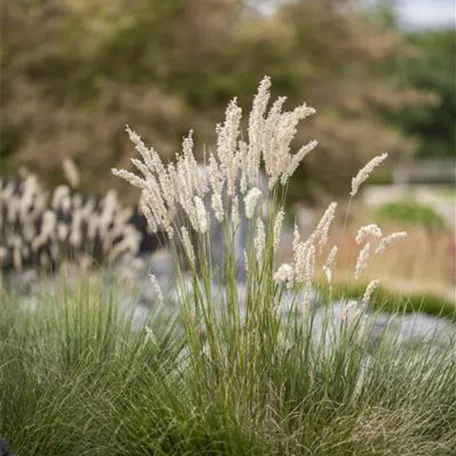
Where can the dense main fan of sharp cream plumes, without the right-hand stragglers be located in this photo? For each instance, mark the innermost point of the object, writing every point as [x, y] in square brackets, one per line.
[167, 189]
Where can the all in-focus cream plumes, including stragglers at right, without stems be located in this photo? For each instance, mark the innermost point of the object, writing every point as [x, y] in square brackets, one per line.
[210, 194]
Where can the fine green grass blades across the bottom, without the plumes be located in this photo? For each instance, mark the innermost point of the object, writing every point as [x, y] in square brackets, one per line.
[75, 380]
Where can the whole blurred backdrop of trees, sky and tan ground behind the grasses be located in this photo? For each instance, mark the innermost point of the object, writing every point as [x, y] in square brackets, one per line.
[381, 75]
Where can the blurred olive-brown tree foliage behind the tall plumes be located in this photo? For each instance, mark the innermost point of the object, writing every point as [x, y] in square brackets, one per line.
[77, 71]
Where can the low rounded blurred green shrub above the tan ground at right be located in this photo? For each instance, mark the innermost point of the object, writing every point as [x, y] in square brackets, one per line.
[410, 212]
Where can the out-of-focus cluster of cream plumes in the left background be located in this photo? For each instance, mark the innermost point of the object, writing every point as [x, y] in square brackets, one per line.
[42, 229]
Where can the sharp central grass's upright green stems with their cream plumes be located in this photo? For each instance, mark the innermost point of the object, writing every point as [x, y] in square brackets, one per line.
[184, 200]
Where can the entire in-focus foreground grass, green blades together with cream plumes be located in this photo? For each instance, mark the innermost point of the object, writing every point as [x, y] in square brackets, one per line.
[231, 375]
